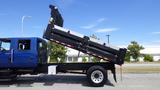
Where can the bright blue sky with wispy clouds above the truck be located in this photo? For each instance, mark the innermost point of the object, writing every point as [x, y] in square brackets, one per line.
[123, 20]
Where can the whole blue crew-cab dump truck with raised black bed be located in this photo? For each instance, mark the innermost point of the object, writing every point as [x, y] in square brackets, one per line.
[29, 55]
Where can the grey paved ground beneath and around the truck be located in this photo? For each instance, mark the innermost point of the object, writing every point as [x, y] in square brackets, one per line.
[79, 82]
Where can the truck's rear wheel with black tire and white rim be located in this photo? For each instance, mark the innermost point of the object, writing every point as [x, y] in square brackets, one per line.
[97, 76]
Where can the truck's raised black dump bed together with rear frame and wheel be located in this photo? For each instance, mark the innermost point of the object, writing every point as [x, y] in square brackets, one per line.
[96, 72]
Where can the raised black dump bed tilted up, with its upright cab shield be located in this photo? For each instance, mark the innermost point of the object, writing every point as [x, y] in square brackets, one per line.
[85, 44]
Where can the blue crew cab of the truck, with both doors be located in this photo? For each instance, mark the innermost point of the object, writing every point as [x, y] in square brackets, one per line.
[22, 53]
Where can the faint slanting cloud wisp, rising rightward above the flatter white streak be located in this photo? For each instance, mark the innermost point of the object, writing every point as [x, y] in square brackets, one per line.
[98, 21]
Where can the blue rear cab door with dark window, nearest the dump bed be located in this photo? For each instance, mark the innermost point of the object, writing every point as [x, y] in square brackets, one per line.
[24, 55]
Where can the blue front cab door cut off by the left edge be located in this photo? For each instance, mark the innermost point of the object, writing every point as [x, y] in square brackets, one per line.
[5, 53]
